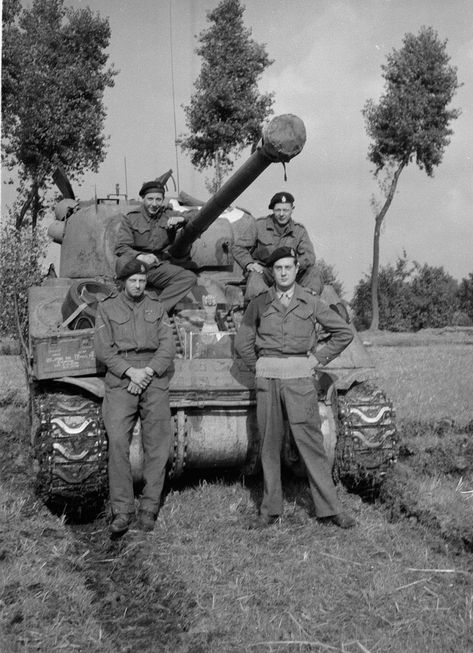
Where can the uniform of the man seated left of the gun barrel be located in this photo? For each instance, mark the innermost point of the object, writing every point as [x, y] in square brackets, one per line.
[141, 234]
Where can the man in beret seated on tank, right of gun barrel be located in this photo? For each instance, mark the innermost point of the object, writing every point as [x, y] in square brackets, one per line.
[263, 235]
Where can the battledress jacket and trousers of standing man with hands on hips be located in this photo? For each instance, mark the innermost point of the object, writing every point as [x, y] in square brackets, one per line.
[269, 329]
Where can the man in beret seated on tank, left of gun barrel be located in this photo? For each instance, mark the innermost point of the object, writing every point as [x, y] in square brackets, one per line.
[144, 233]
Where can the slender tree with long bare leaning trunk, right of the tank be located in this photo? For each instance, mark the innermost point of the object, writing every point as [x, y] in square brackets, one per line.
[410, 122]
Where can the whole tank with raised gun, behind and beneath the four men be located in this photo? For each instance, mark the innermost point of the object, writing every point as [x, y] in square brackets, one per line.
[212, 393]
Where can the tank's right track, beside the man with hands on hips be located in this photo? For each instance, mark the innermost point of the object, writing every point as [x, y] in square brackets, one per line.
[368, 442]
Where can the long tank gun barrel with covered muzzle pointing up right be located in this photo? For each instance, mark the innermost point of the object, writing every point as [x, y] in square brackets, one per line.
[283, 138]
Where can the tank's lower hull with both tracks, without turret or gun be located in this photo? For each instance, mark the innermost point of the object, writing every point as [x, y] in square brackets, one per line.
[212, 402]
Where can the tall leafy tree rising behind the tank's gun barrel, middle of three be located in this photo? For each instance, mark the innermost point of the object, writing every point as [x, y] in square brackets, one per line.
[226, 110]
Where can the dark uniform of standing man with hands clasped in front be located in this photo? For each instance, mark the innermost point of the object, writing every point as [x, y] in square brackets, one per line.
[135, 334]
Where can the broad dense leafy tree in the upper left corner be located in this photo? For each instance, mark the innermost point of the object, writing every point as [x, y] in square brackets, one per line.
[54, 76]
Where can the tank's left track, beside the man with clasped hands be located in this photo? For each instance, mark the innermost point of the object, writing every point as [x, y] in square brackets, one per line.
[70, 449]
